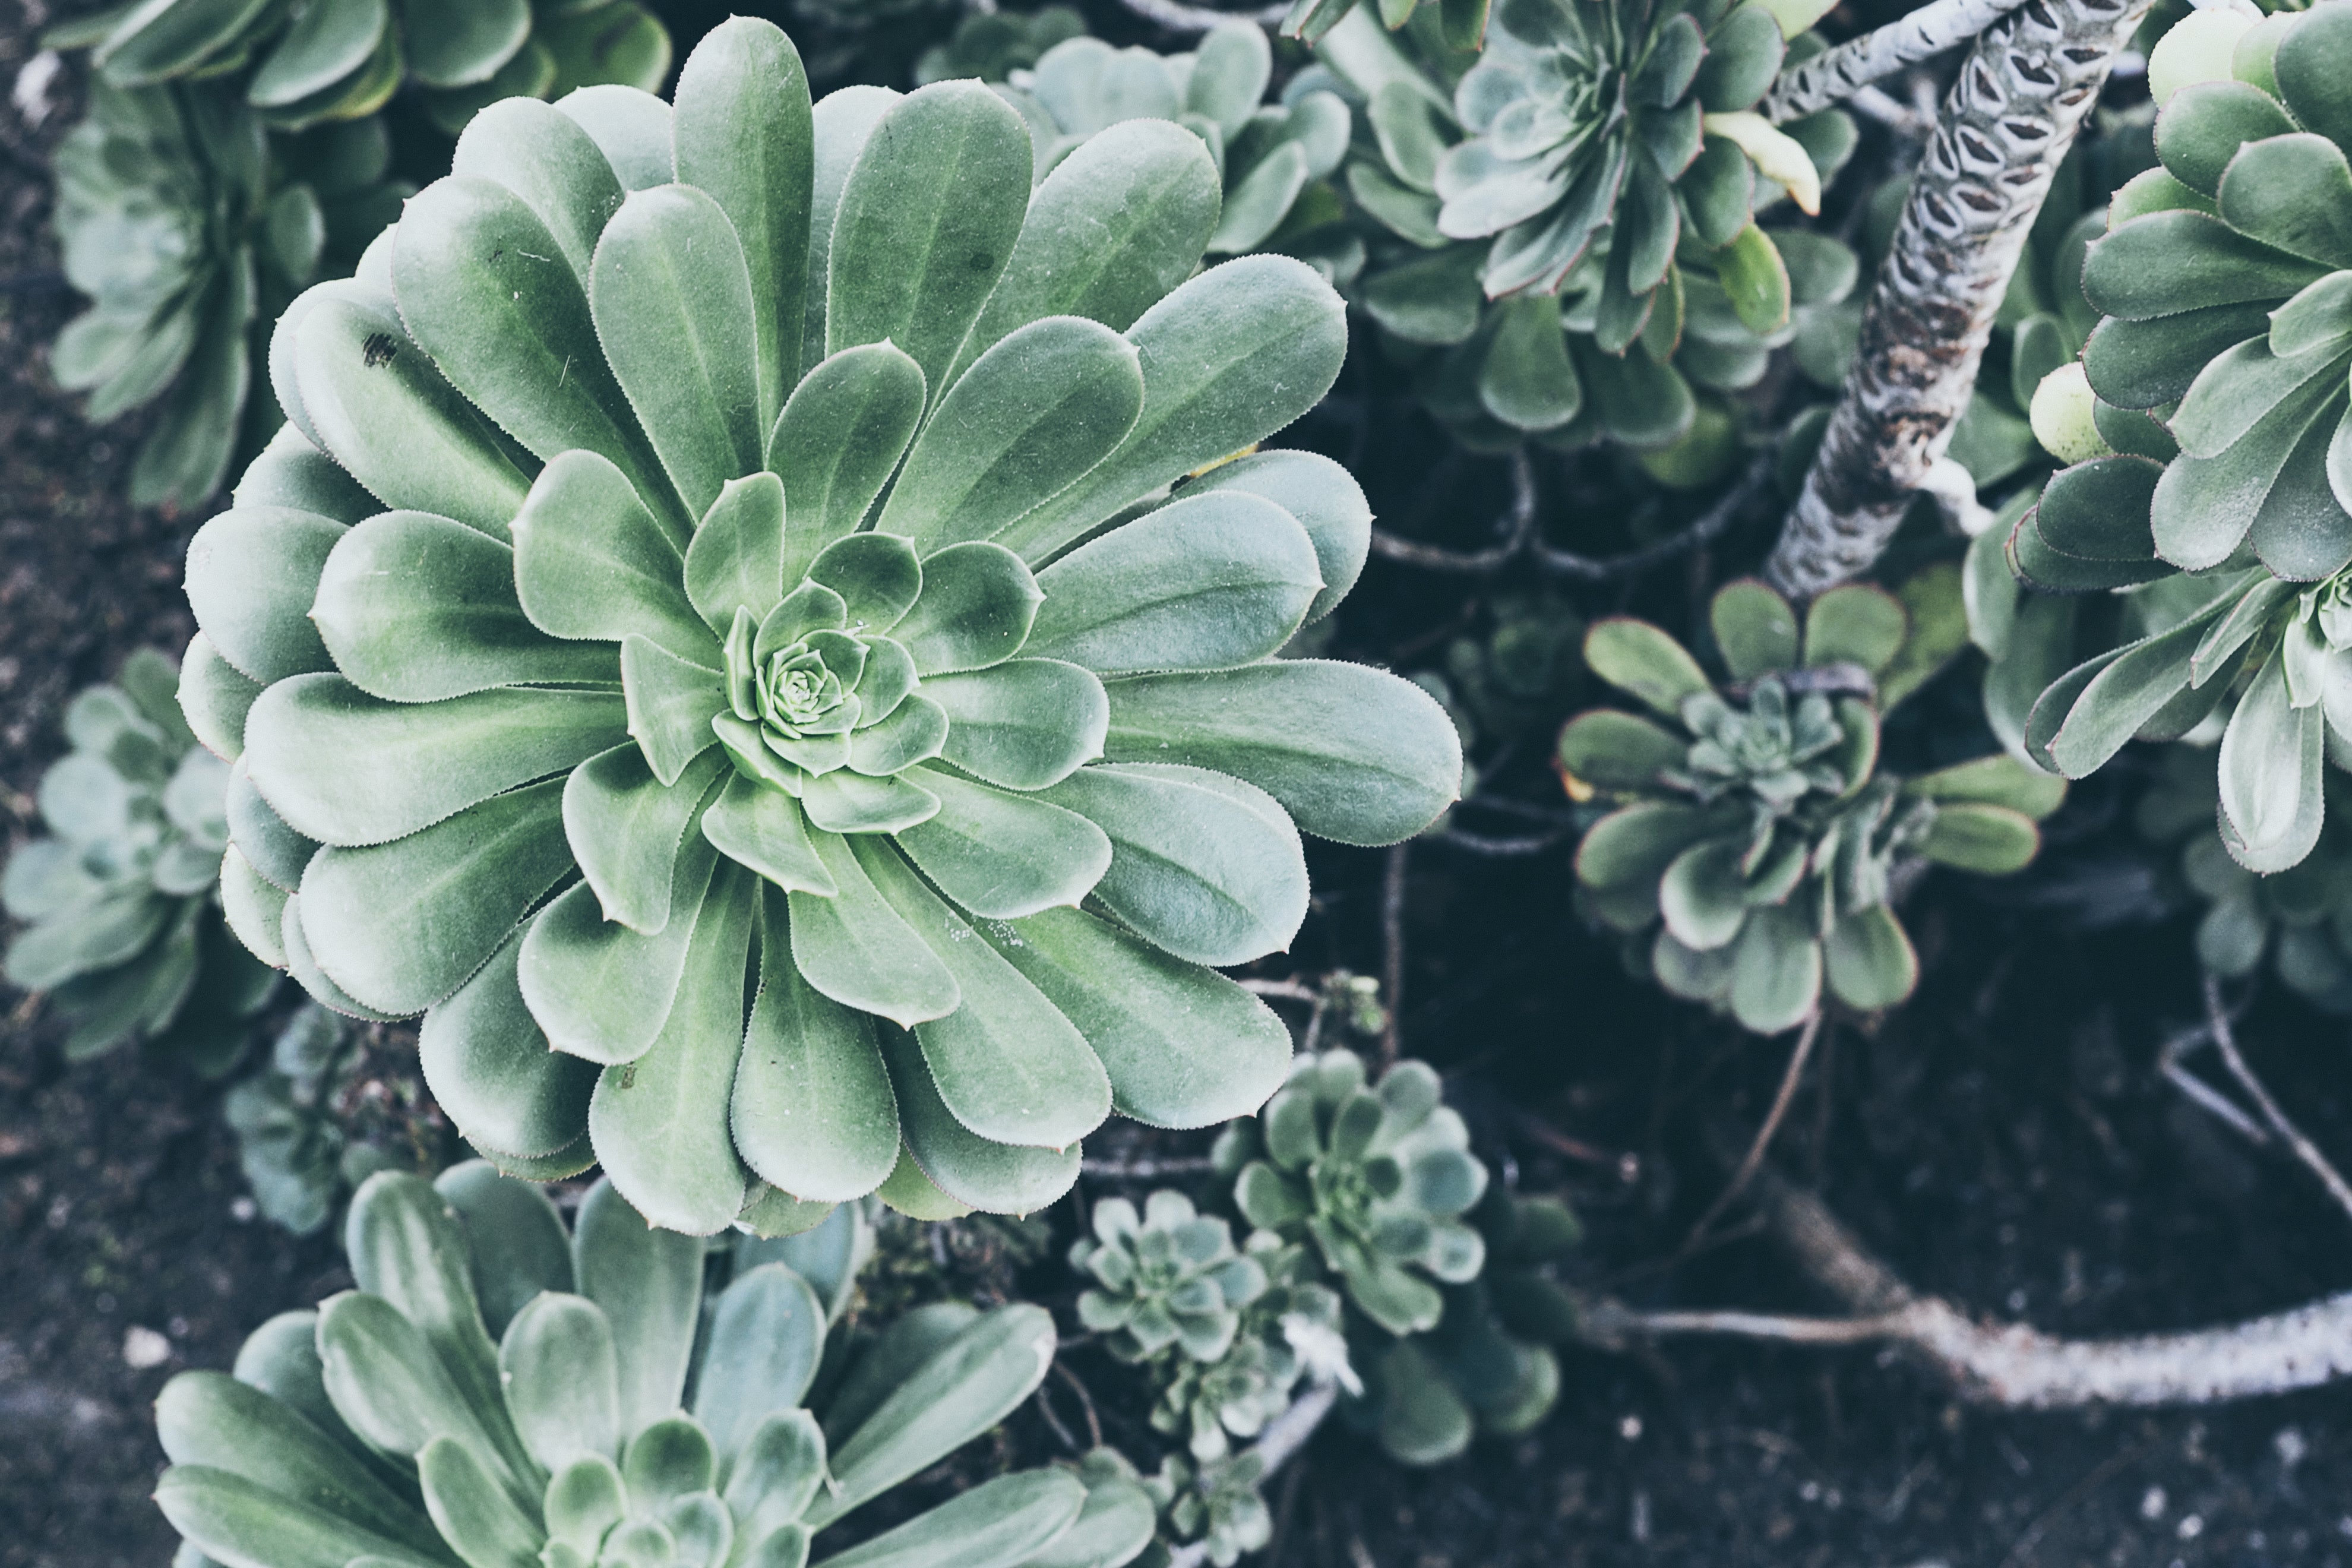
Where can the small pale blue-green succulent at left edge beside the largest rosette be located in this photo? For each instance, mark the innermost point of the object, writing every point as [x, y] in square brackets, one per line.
[123, 927]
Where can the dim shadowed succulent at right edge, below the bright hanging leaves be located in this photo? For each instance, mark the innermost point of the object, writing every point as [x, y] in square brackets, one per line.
[2297, 920]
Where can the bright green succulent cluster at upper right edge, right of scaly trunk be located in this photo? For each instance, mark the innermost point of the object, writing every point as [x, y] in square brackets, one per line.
[2214, 389]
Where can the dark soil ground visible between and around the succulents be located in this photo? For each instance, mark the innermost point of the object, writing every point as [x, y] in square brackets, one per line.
[2003, 1141]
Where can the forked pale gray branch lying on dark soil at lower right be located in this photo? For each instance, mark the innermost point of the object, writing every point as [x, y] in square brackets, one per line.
[2010, 1365]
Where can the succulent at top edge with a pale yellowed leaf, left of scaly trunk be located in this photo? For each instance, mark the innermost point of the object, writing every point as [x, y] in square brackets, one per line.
[1577, 354]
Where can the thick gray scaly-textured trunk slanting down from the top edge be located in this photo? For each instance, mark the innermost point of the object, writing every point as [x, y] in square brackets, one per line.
[2010, 119]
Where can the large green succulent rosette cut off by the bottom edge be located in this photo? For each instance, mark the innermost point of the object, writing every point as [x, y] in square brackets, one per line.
[505, 1393]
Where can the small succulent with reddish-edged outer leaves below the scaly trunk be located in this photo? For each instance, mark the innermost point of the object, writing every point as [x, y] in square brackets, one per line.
[1758, 833]
